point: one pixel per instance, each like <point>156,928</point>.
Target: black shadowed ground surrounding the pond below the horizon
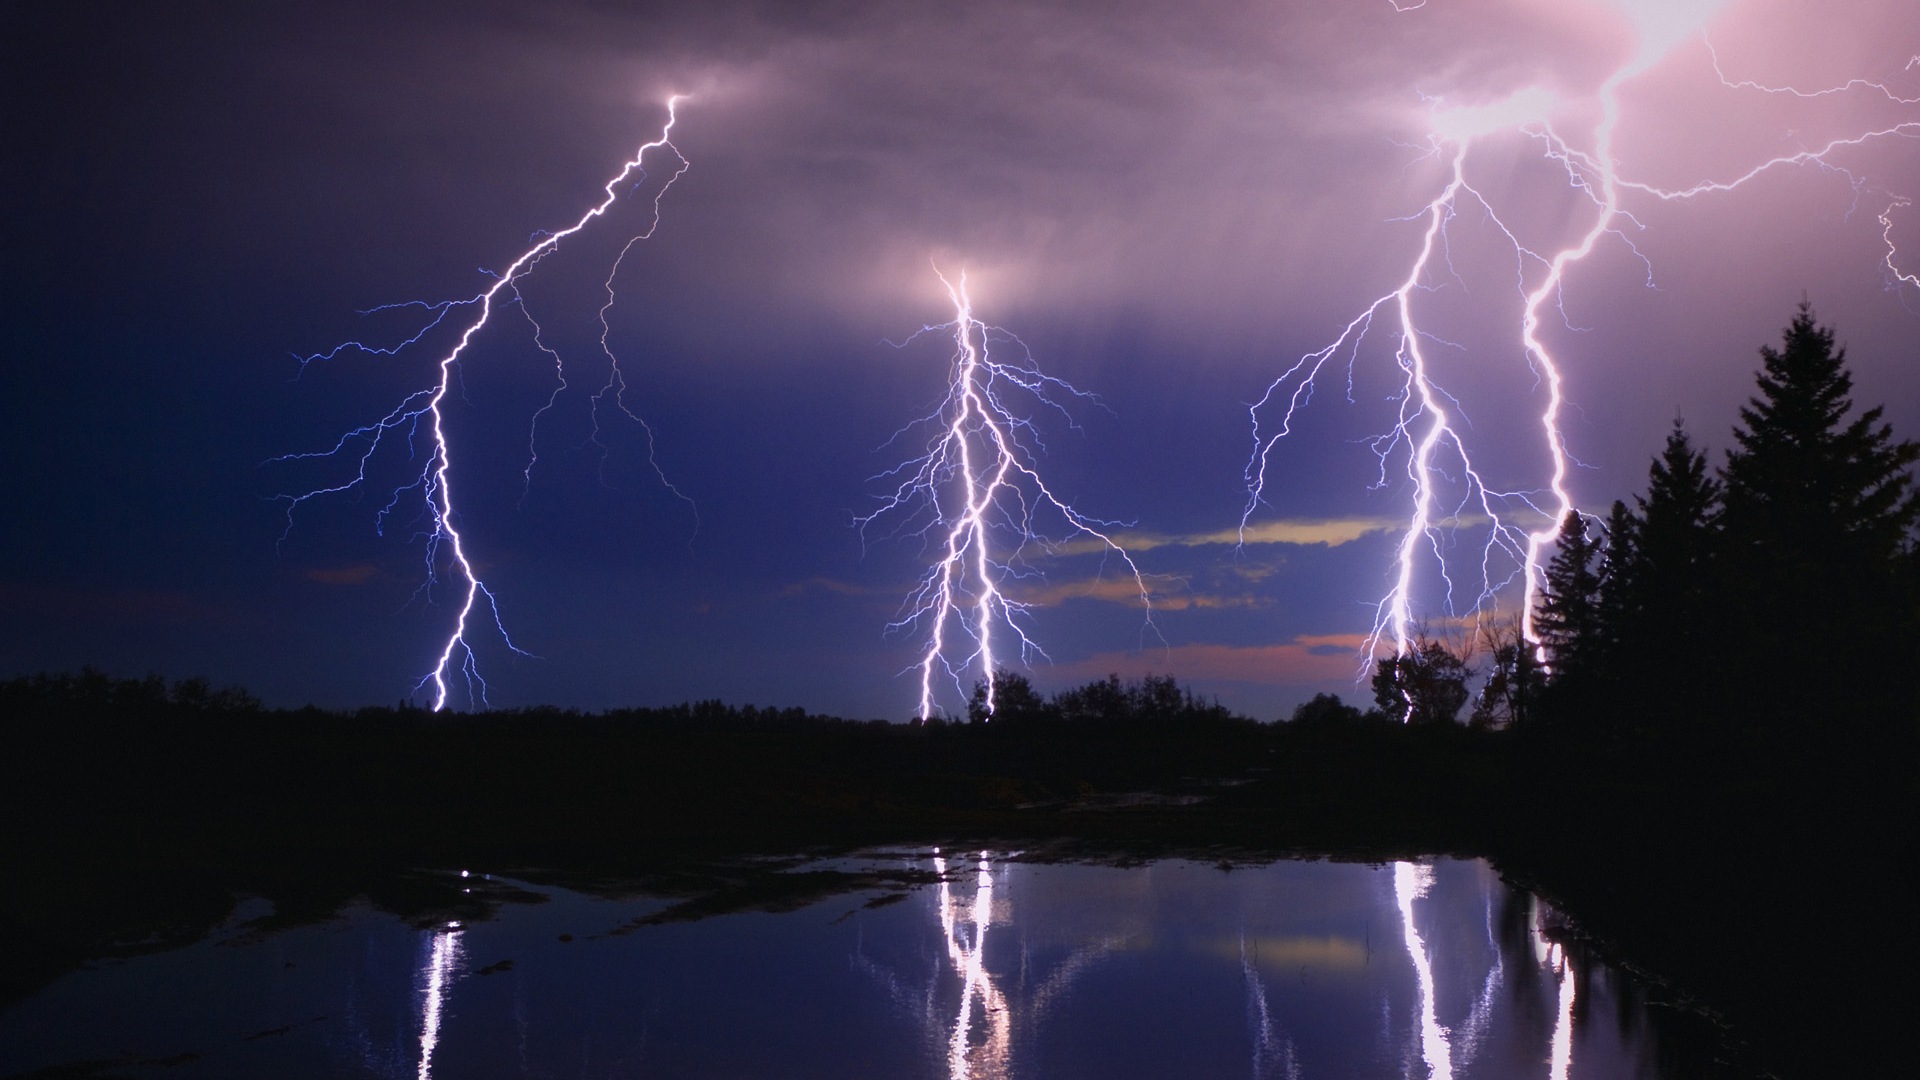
<point>1771,898</point>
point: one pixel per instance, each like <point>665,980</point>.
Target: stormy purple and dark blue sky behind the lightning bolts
<point>1166,210</point>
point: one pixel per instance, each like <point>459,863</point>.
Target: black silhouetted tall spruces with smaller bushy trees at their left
<point>1767,602</point>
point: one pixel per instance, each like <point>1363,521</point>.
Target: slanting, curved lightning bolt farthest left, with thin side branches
<point>421,418</point>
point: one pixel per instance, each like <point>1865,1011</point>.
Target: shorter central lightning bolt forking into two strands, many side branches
<point>978,495</point>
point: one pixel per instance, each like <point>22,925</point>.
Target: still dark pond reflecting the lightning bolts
<point>999,970</point>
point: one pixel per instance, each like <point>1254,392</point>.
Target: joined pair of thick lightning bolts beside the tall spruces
<point>1428,443</point>
